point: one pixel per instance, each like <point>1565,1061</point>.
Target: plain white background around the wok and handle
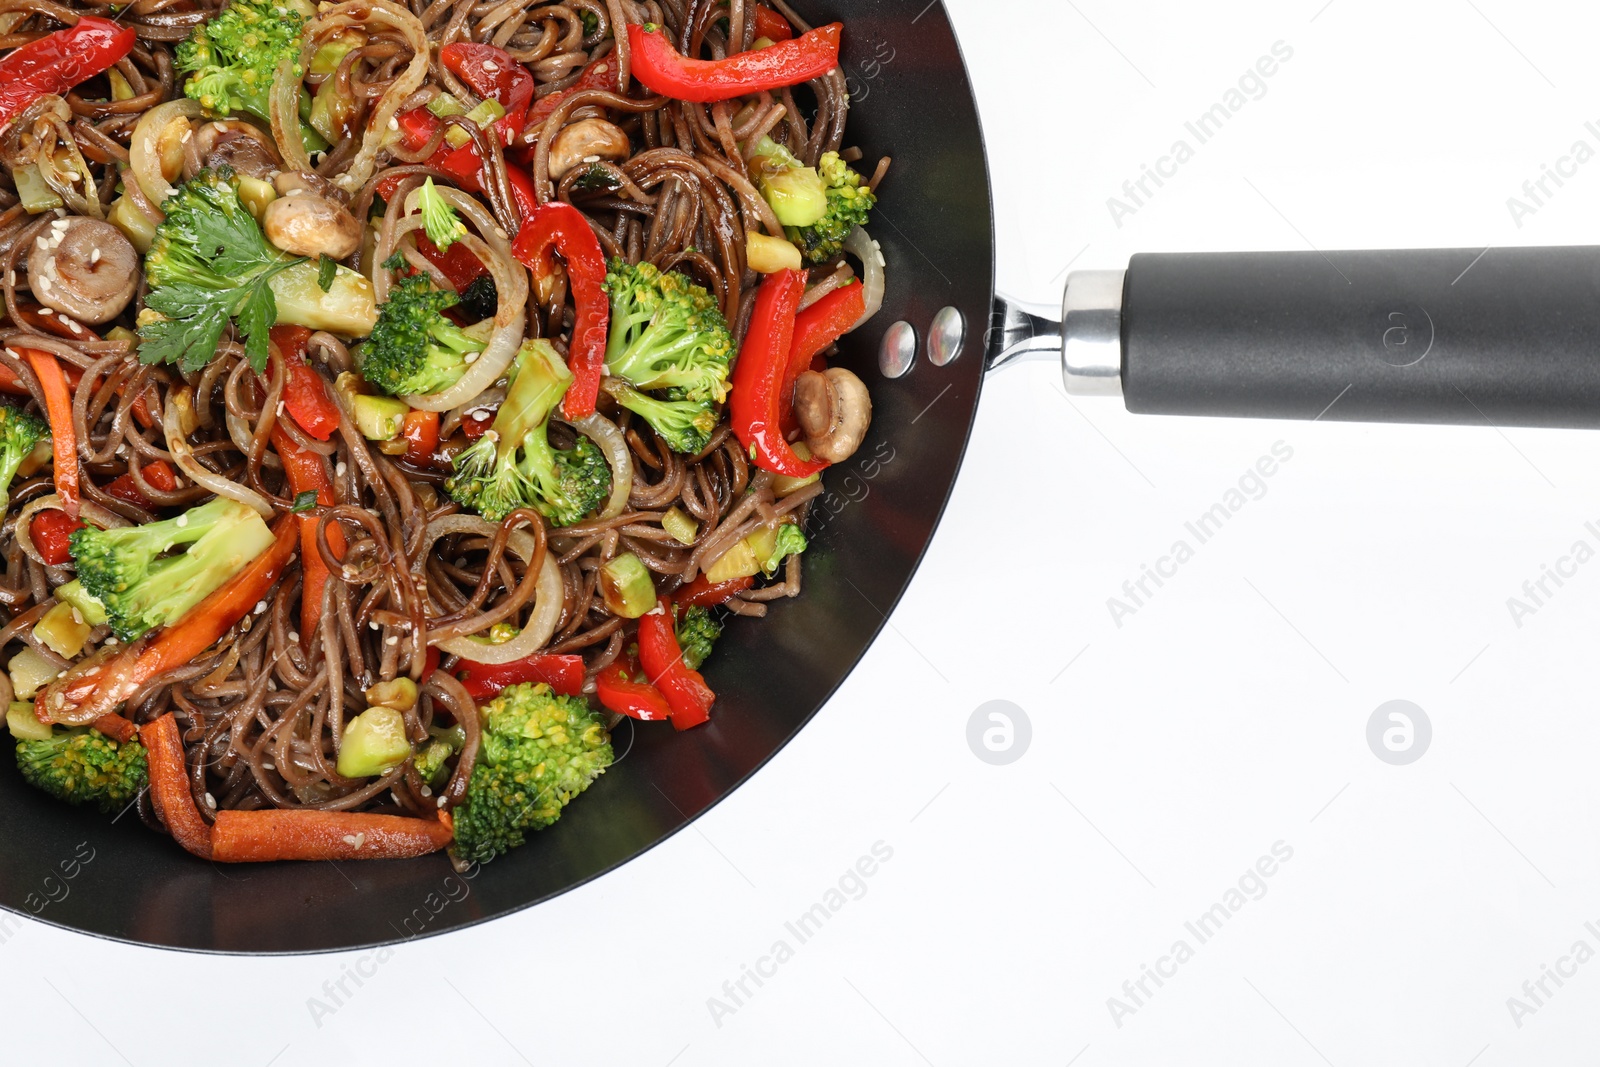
<point>1223,717</point>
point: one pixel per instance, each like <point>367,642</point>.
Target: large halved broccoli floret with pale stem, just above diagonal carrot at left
<point>142,588</point>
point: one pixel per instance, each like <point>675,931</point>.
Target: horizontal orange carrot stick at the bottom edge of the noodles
<point>246,837</point>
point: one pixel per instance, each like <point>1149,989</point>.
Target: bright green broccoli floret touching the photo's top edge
<point>234,57</point>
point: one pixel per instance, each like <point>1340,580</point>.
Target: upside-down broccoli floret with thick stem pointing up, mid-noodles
<point>514,463</point>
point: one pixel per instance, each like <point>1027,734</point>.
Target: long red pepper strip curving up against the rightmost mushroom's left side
<point>758,401</point>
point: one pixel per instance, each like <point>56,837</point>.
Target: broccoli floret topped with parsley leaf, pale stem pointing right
<point>210,263</point>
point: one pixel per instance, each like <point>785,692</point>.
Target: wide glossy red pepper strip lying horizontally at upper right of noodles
<point>663,70</point>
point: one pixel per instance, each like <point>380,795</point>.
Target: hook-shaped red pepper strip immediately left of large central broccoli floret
<point>562,228</point>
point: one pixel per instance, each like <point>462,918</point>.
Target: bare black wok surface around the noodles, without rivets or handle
<point>911,100</point>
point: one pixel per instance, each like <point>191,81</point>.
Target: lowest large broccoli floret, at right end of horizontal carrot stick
<point>538,753</point>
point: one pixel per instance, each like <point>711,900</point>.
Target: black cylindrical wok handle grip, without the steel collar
<point>1508,337</point>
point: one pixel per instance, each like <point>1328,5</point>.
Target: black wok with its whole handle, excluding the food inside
<point>1498,337</point>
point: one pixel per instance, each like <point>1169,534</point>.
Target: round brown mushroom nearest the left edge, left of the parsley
<point>84,268</point>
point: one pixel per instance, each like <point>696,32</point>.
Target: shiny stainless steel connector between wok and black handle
<point>1087,337</point>
